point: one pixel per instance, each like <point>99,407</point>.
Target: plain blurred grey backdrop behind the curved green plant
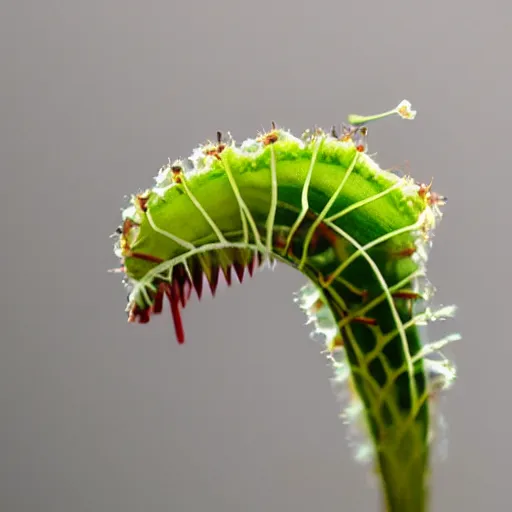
<point>101,416</point>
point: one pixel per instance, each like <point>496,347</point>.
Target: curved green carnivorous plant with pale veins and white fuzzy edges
<point>360,234</point>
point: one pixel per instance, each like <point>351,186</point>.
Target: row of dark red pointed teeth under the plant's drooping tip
<point>190,276</point>
